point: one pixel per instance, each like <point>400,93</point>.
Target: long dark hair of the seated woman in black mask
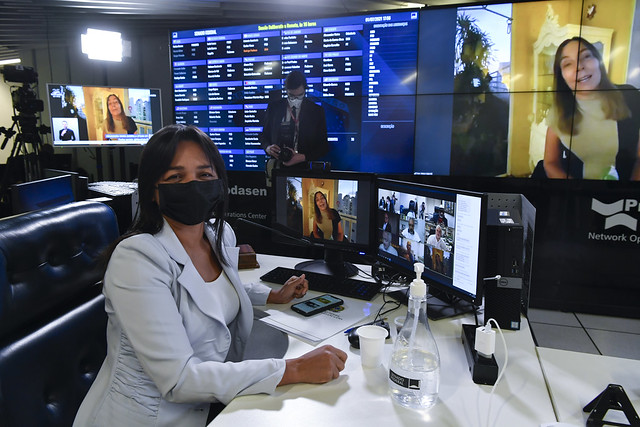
<point>155,160</point>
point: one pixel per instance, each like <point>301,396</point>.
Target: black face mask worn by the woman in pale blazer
<point>190,203</point>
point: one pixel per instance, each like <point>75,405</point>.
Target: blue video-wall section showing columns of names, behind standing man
<point>361,69</point>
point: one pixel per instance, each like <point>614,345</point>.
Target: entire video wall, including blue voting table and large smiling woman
<point>542,89</point>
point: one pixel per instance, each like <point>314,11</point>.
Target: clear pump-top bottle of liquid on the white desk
<point>414,369</point>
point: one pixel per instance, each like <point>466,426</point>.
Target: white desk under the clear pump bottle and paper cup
<point>359,397</point>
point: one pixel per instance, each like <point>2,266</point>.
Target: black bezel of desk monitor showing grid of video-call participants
<point>432,280</point>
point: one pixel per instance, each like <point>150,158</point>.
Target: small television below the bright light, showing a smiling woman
<point>102,116</point>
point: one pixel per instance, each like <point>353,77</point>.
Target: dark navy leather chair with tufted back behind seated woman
<point>52,319</point>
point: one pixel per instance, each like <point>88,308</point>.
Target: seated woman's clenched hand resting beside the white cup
<point>316,367</point>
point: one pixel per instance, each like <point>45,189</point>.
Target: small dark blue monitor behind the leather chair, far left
<point>40,194</point>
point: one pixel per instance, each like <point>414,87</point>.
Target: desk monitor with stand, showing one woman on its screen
<point>328,209</point>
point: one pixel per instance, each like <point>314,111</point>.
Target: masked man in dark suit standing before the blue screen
<point>294,128</point>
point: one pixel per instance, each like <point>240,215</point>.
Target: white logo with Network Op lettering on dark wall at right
<point>616,221</point>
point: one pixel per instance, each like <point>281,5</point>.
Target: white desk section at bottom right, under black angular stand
<point>575,379</point>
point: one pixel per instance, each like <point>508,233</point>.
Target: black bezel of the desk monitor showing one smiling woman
<point>348,247</point>
